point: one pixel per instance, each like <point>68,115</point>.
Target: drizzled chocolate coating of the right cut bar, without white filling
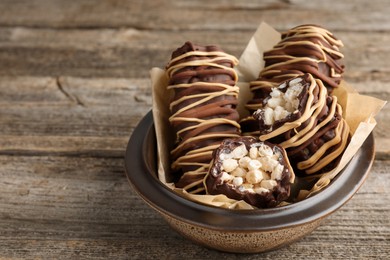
<point>326,119</point>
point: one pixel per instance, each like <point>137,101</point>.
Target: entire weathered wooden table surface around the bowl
<point>74,84</point>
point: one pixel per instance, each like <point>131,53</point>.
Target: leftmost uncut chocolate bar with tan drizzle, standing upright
<point>218,106</point>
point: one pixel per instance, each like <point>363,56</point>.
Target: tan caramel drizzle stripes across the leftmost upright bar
<point>190,158</point>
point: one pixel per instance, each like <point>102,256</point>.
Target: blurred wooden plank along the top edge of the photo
<point>196,15</point>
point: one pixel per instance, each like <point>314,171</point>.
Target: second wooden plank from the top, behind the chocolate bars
<point>132,53</point>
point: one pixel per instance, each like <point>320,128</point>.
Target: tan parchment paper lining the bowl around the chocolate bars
<point>358,110</point>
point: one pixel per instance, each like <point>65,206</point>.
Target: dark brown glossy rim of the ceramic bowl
<point>166,201</point>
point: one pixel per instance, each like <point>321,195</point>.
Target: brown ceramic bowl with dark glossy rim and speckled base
<point>240,231</point>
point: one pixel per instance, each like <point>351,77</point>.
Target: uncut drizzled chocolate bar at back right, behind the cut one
<point>303,49</point>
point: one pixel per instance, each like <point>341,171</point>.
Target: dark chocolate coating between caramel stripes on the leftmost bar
<point>221,106</point>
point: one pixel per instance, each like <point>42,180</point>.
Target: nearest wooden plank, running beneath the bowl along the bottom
<point>54,207</point>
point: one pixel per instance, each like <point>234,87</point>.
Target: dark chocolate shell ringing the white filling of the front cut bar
<point>214,184</point>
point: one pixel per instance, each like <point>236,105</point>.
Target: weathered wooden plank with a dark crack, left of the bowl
<point>110,106</point>
